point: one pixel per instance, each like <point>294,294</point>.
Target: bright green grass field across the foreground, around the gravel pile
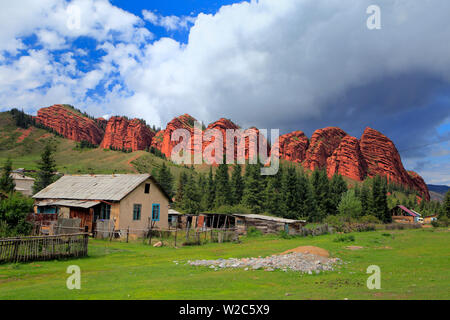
<point>414,265</point>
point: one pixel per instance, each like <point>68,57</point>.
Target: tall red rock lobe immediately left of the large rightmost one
<point>347,160</point>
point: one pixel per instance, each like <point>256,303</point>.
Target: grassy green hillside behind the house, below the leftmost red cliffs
<point>25,145</point>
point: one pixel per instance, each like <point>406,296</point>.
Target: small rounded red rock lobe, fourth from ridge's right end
<point>293,146</point>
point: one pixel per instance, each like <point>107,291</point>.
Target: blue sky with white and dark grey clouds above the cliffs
<point>292,65</point>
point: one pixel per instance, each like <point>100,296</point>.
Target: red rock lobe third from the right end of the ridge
<point>322,145</point>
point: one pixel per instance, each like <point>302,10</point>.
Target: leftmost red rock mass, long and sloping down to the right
<point>70,123</point>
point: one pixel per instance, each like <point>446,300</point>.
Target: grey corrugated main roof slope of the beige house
<point>92,187</point>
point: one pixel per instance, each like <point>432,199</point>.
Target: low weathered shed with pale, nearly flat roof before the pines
<point>267,224</point>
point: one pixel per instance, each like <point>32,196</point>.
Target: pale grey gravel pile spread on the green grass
<point>302,262</point>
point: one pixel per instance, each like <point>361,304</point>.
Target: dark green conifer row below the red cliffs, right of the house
<point>291,193</point>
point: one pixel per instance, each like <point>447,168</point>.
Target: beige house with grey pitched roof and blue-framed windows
<point>127,200</point>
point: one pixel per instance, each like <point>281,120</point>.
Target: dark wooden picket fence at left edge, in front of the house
<point>43,248</point>
